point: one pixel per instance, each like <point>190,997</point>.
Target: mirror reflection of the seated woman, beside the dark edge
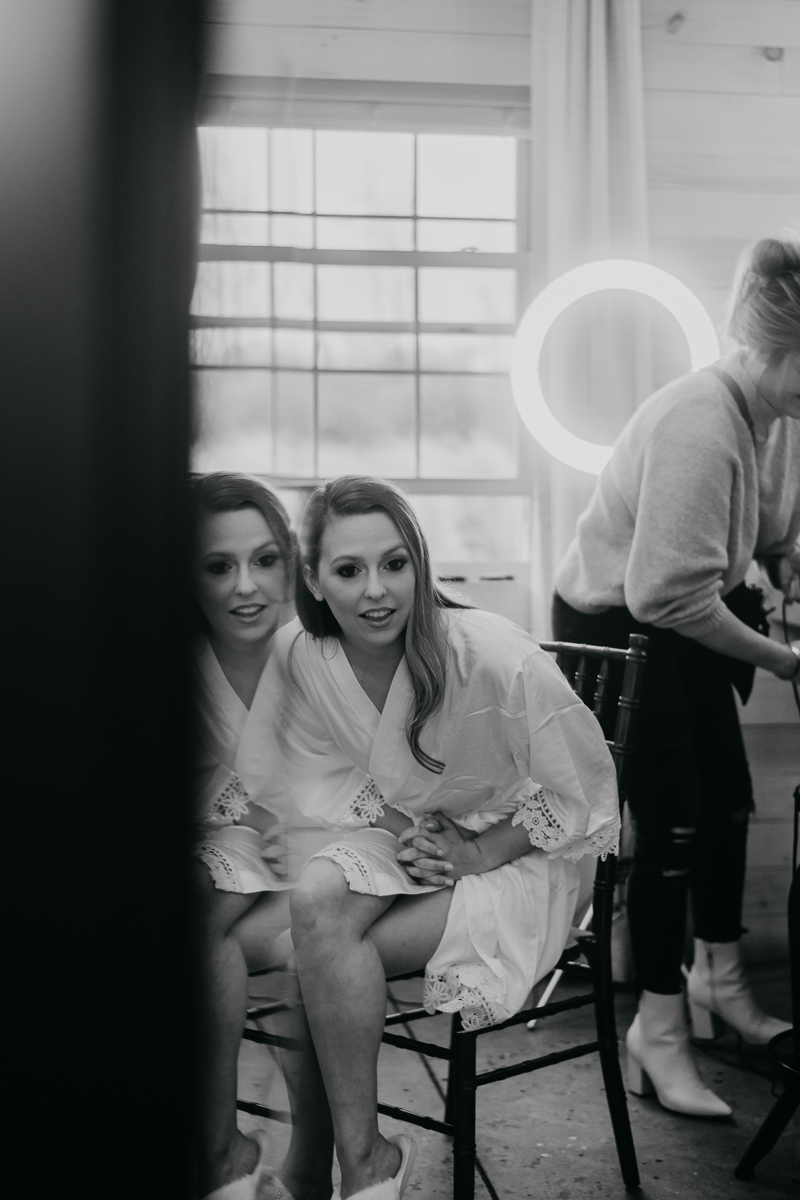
<point>245,557</point>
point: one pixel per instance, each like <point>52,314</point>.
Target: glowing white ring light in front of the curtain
<point>552,302</point>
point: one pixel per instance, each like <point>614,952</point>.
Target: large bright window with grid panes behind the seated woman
<point>354,310</point>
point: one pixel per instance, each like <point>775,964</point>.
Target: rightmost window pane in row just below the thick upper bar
<point>480,297</point>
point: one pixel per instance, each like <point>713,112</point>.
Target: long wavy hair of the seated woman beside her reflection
<point>426,651</point>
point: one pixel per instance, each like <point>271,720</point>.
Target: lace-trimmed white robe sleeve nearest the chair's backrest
<point>570,807</point>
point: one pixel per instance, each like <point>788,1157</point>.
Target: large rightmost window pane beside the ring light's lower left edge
<point>467,428</point>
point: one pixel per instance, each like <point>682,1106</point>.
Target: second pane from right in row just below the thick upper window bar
<point>365,293</point>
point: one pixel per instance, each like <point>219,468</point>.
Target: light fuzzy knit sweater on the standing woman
<point>688,500</point>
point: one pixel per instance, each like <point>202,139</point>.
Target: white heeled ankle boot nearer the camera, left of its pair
<point>659,1059</point>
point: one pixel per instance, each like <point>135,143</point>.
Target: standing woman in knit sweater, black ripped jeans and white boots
<point>705,478</point>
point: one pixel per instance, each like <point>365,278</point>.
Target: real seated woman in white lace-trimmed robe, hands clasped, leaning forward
<point>471,778</point>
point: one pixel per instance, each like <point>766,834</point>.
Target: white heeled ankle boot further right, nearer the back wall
<point>719,992</point>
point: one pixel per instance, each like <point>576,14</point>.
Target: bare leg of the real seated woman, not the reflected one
<point>344,982</point>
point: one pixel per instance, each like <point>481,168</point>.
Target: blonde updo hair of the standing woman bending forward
<point>765,310</point>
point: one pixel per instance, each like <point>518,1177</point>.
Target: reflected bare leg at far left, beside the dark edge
<point>224,1154</point>
